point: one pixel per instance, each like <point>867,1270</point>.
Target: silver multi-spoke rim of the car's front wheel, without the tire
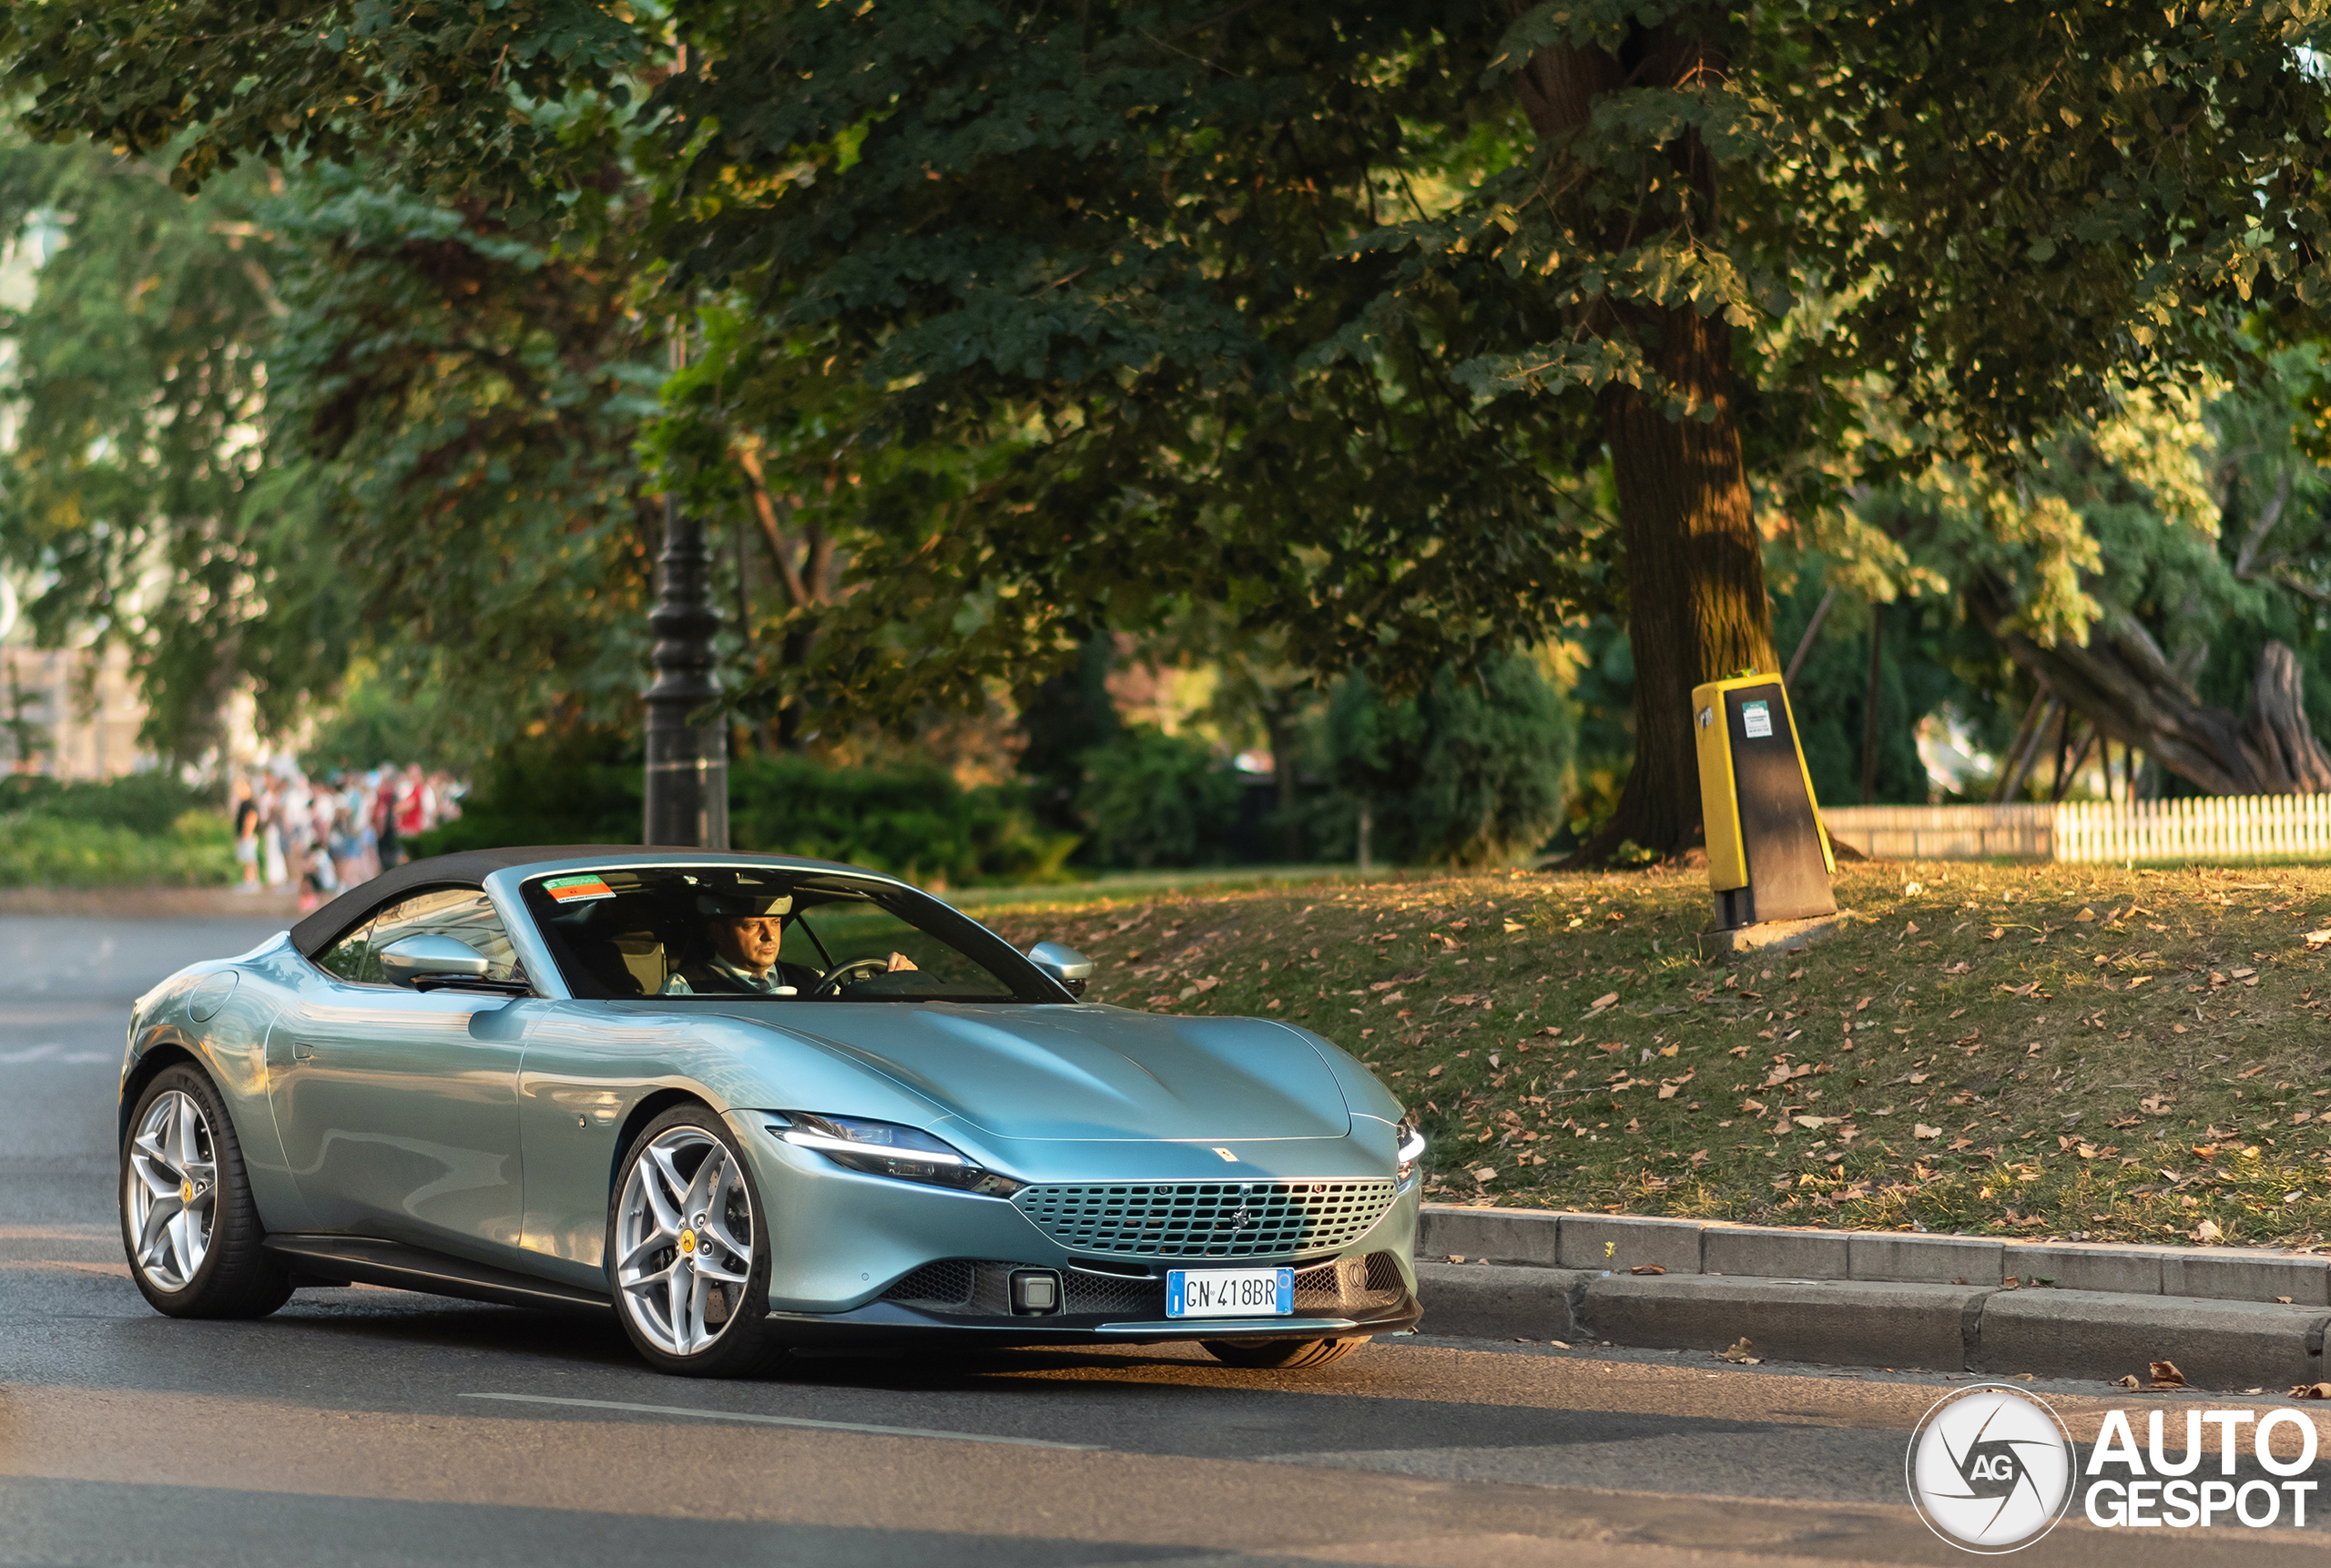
<point>684,1241</point>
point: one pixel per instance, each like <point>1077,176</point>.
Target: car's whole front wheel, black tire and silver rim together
<point>689,1250</point>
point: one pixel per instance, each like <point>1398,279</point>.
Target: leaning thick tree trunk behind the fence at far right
<point>2125,686</point>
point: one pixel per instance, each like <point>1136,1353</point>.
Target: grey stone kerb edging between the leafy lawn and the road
<point>2230,1318</point>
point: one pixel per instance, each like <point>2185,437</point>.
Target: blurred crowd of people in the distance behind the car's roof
<point>330,835</point>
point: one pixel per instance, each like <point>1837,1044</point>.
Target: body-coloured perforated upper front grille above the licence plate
<point>1209,1220</point>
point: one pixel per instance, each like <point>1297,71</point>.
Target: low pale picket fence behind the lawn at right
<point>2225,828</point>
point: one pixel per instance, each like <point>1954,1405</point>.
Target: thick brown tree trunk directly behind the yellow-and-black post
<point>1696,570</point>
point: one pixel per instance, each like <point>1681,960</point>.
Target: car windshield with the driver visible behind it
<point>724,933</point>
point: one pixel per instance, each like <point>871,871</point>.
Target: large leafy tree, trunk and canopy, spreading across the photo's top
<point>1325,318</point>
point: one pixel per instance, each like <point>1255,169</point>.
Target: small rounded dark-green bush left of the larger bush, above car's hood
<point>1157,800</point>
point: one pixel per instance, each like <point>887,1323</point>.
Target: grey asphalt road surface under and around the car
<point>374,1427</point>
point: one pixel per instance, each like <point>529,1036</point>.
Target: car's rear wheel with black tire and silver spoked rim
<point>188,1217</point>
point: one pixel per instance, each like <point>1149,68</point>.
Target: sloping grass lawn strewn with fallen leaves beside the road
<point>2038,1052</point>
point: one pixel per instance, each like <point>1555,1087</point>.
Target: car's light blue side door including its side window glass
<point>400,1108</point>
